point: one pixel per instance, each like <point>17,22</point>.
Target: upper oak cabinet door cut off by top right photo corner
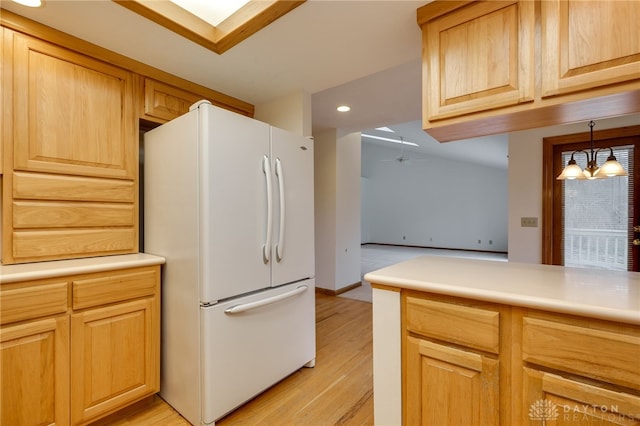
<point>588,44</point>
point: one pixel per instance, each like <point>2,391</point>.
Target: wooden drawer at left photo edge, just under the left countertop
<point>35,301</point>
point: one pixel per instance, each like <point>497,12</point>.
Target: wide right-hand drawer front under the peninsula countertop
<point>603,355</point>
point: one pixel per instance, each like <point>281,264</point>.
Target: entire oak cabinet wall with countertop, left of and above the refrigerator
<point>79,330</point>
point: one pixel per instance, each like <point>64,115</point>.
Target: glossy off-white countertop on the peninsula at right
<point>610,295</point>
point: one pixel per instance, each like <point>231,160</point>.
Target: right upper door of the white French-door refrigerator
<point>293,224</point>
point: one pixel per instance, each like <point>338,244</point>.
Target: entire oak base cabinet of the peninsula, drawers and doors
<point>475,363</point>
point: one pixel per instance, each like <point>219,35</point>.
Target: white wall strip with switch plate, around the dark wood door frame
<point>525,182</point>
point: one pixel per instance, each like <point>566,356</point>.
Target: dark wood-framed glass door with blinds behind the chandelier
<point>591,223</point>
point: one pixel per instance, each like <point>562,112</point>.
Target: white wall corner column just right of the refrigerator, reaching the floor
<point>337,206</point>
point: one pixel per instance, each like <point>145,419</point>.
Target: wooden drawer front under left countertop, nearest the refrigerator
<point>114,287</point>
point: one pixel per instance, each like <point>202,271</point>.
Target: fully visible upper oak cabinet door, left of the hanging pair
<point>478,58</point>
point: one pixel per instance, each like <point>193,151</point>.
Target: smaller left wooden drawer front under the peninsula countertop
<point>473,327</point>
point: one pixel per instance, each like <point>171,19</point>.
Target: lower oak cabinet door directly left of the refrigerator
<point>115,357</point>
